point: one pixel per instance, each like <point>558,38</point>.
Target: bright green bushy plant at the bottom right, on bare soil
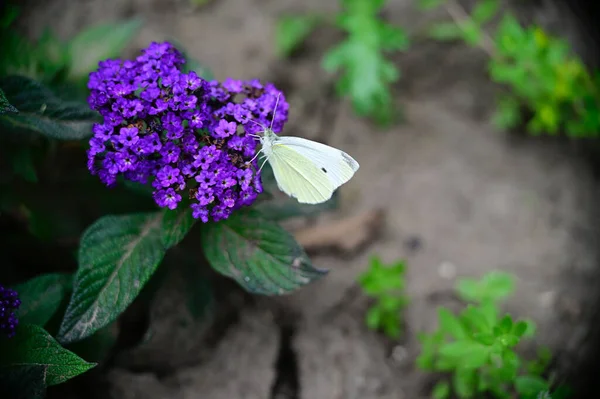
<point>476,348</point>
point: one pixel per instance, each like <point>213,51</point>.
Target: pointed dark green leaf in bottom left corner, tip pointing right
<point>32,345</point>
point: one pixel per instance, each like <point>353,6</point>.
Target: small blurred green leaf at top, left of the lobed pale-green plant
<point>292,31</point>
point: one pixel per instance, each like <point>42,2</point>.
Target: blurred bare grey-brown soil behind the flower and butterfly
<point>460,199</point>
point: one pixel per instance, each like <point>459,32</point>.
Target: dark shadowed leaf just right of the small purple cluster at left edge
<point>41,296</point>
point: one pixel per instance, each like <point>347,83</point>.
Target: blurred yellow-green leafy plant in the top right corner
<point>541,73</point>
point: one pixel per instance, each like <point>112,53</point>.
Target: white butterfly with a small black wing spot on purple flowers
<point>304,169</point>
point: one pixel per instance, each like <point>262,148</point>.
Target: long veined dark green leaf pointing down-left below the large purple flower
<point>117,256</point>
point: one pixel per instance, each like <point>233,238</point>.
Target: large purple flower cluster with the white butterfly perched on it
<point>180,132</point>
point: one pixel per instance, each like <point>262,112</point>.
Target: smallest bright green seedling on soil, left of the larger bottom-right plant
<point>385,283</point>
